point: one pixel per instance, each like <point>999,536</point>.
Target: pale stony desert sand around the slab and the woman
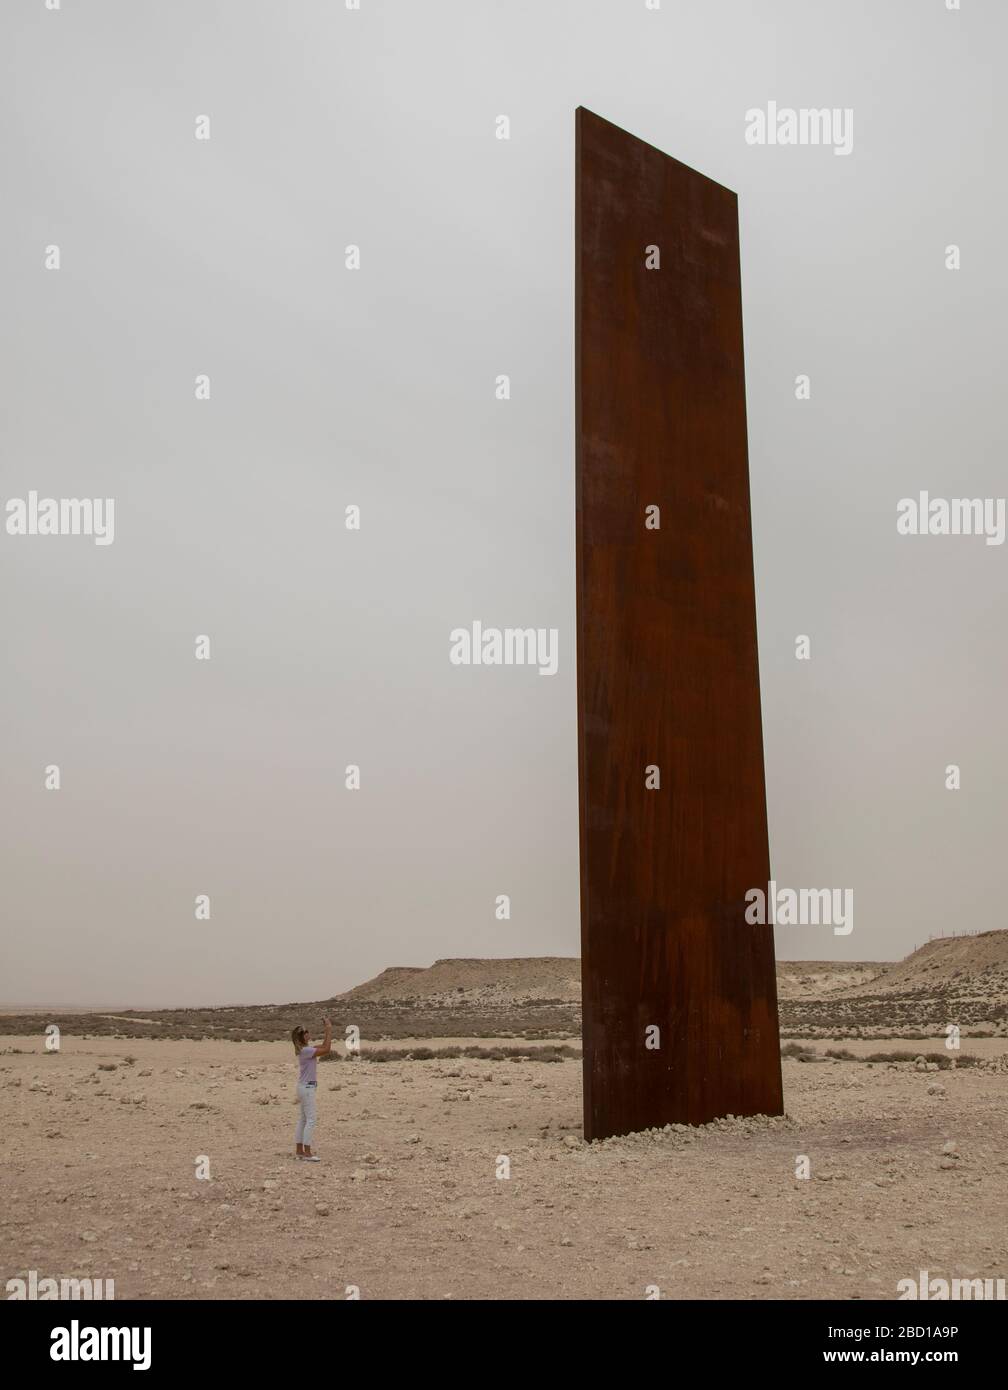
<point>99,1179</point>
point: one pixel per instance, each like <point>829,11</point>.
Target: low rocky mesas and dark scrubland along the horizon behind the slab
<point>960,981</point>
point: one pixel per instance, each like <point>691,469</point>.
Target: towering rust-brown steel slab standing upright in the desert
<point>667,654</point>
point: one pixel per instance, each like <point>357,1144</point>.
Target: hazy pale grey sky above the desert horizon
<point>226,258</point>
